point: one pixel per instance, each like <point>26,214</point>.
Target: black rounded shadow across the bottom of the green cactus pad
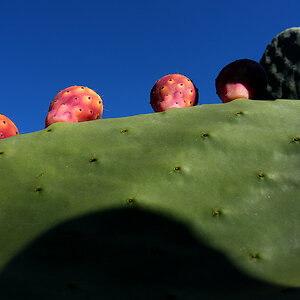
<point>127,254</point>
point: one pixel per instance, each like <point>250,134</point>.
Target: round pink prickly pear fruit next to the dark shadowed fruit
<point>173,91</point>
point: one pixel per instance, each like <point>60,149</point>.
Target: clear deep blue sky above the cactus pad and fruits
<point>120,48</point>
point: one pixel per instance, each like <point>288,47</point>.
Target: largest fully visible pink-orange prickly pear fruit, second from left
<point>75,104</point>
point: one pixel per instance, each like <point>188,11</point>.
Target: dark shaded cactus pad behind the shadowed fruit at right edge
<point>281,60</point>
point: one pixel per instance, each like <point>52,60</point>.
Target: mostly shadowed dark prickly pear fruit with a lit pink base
<point>243,78</point>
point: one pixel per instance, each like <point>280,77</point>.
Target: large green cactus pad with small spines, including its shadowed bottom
<point>183,204</point>
